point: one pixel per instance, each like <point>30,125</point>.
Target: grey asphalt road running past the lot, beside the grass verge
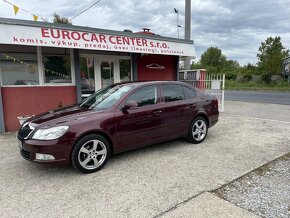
<point>259,96</point>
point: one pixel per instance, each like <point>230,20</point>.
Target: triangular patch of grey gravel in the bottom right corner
<point>265,191</point>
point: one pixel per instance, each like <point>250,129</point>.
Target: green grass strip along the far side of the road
<point>235,85</point>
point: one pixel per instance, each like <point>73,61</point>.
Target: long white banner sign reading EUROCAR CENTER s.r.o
<point>62,38</point>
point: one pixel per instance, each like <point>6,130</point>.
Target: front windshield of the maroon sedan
<point>105,98</point>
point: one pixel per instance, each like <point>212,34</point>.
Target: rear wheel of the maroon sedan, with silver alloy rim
<point>198,130</point>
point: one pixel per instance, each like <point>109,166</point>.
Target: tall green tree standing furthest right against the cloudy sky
<point>270,56</point>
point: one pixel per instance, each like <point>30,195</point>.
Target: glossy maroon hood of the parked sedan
<point>60,116</point>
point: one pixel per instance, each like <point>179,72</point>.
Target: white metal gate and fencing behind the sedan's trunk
<point>213,84</point>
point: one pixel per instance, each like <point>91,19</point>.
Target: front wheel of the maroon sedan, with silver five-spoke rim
<point>90,153</point>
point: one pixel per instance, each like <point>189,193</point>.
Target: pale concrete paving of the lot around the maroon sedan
<point>169,179</point>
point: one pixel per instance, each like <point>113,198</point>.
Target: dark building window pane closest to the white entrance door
<point>56,65</point>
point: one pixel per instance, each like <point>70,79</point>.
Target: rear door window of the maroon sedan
<point>172,93</point>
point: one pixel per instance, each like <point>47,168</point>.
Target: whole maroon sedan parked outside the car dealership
<point>115,119</point>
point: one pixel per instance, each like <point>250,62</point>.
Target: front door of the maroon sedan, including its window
<point>142,125</point>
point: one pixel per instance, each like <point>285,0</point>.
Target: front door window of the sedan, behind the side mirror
<point>144,96</point>
